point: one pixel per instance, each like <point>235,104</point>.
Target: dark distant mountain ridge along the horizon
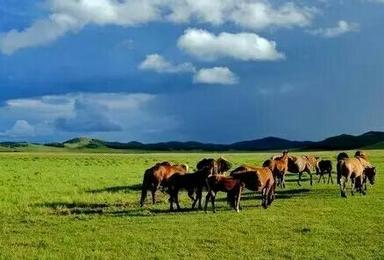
<point>369,140</point>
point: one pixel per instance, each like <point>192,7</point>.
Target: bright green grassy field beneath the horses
<point>61,205</point>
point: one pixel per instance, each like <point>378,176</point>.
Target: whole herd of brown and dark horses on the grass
<point>210,174</point>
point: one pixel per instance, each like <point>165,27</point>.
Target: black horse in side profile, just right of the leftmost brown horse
<point>192,182</point>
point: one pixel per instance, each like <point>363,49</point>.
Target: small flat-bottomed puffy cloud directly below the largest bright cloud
<point>215,75</point>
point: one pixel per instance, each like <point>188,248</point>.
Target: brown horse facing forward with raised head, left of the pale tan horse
<point>279,167</point>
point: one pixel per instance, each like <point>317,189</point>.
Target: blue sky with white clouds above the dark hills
<point>213,71</point>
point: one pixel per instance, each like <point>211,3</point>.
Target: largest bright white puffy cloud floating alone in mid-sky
<point>241,46</point>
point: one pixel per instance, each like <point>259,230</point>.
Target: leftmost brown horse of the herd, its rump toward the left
<point>158,175</point>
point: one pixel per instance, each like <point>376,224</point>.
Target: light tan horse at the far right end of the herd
<point>356,169</point>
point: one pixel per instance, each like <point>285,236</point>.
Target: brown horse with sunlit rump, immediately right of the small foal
<point>260,180</point>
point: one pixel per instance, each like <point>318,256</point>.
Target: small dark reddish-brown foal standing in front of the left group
<point>233,187</point>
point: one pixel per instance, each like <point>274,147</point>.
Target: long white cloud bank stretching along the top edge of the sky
<point>73,15</point>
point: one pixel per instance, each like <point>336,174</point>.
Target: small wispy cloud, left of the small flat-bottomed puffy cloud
<point>159,64</point>
